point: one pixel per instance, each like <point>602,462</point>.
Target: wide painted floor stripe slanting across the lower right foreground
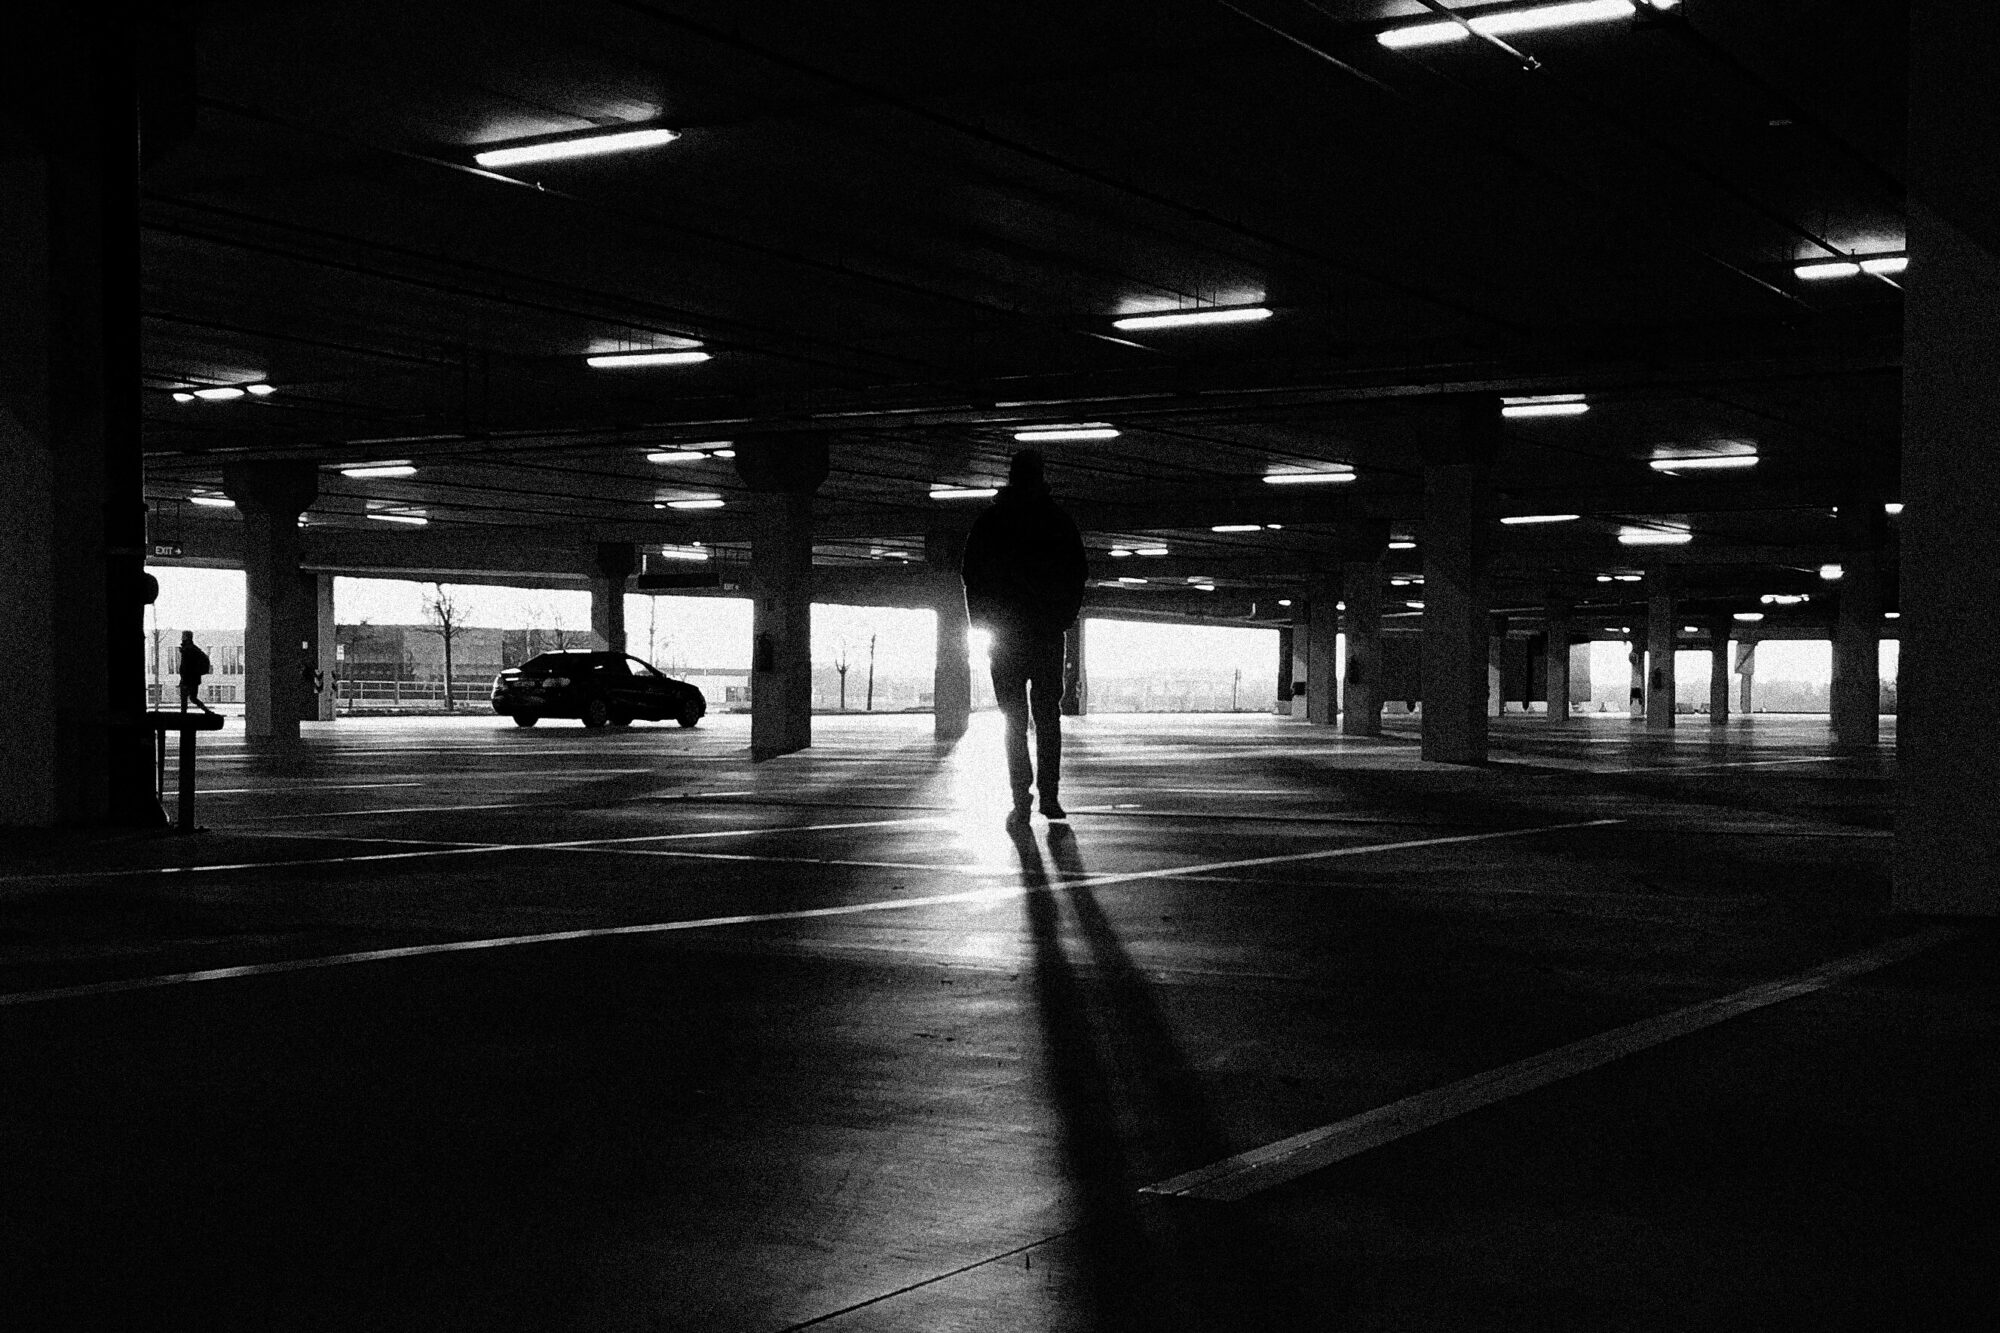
<point>1287,1160</point>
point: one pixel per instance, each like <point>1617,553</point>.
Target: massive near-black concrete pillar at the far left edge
<point>73,513</point>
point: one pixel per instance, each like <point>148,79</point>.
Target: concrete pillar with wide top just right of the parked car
<point>783,473</point>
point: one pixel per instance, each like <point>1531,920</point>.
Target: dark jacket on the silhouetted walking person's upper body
<point>1025,569</point>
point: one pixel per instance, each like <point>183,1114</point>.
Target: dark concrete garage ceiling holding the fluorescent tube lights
<point>911,225</point>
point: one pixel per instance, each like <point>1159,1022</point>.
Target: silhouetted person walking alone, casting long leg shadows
<point>1025,583</point>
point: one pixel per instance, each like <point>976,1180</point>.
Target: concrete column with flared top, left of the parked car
<point>281,605</point>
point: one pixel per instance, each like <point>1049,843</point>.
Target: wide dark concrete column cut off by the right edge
<point>1949,824</point>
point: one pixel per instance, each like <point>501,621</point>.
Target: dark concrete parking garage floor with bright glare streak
<point>825,1042</point>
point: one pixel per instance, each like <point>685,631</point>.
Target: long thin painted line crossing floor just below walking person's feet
<point>993,894</point>
